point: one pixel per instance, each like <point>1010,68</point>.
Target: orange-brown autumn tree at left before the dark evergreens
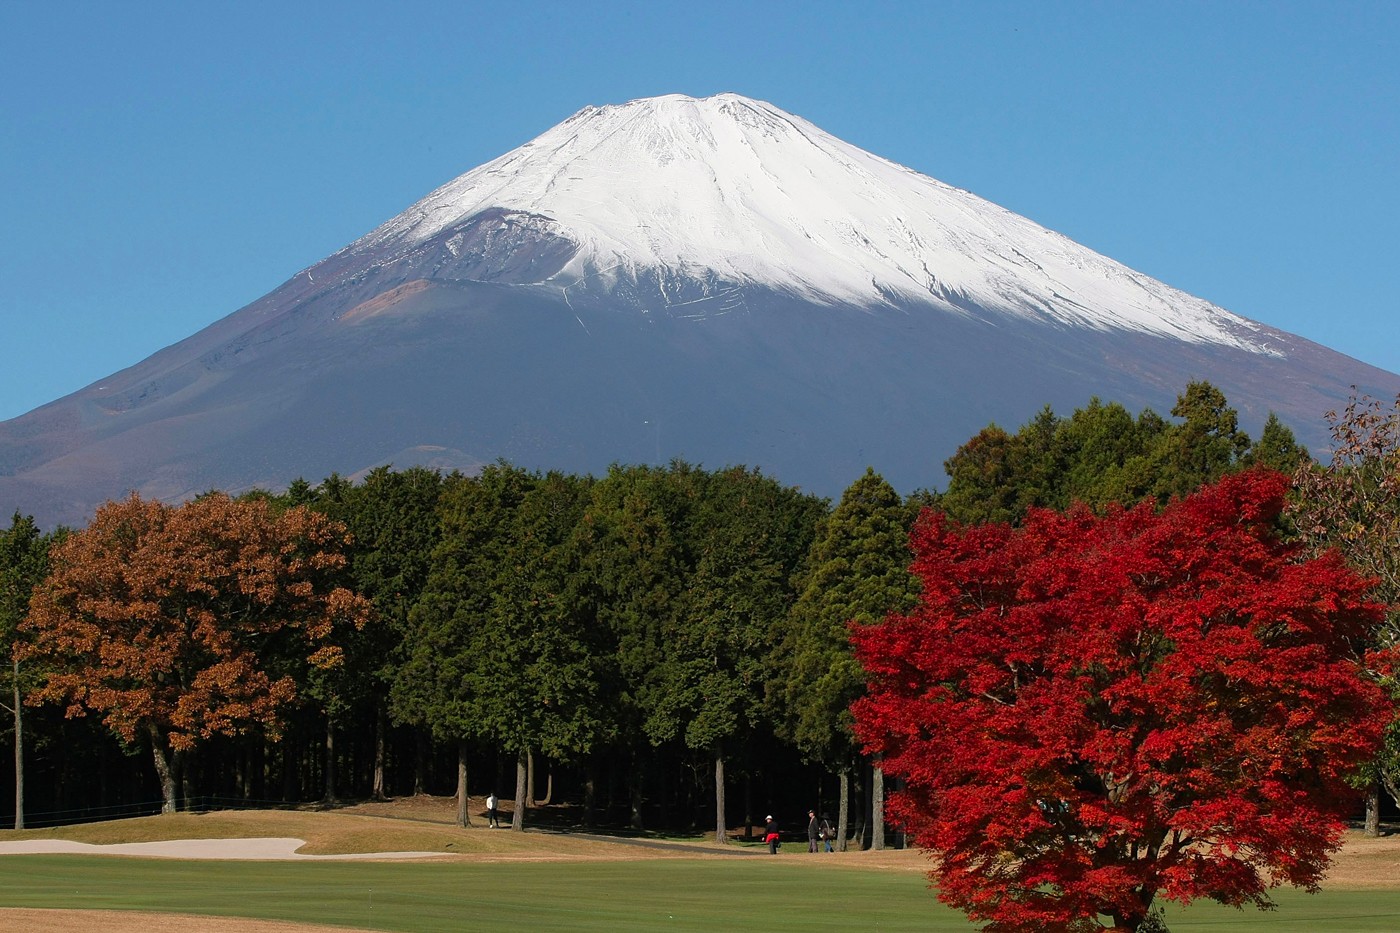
<point>178,624</point>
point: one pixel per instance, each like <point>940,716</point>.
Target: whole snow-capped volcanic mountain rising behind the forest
<point>712,279</point>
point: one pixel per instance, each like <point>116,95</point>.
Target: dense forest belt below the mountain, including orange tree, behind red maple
<point>660,648</point>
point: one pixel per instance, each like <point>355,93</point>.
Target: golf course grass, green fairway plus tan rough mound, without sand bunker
<point>568,882</point>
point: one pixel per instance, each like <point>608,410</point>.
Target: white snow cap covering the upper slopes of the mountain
<point>740,191</point>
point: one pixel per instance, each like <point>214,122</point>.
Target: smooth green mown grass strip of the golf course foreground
<point>667,894</point>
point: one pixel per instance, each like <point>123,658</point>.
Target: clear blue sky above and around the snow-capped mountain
<point>167,163</point>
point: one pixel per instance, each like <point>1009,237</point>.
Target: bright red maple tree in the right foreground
<point>1091,712</point>
